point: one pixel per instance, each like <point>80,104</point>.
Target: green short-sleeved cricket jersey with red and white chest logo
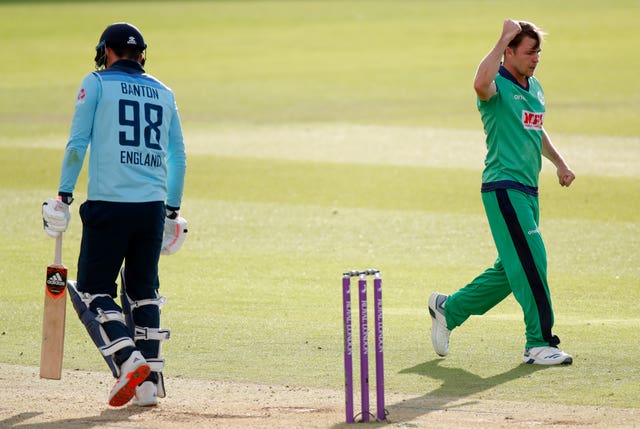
<point>512,121</point>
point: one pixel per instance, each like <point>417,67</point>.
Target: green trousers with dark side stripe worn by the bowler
<point>521,268</point>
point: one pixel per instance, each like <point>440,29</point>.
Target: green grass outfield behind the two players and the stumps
<point>326,136</point>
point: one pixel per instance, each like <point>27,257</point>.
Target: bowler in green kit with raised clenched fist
<point>512,108</point>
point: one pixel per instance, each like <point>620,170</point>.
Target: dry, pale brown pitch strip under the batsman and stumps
<point>79,401</point>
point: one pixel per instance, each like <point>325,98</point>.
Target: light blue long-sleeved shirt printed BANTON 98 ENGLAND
<point>130,120</point>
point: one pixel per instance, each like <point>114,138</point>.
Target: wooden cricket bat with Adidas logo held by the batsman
<point>55,304</point>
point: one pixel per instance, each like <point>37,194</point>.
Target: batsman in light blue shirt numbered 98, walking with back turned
<point>136,170</point>
